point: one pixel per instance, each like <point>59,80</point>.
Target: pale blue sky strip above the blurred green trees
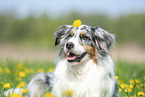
<point>56,8</point>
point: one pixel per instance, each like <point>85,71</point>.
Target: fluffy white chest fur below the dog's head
<point>85,80</point>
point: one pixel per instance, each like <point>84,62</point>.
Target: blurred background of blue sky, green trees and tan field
<point>27,26</point>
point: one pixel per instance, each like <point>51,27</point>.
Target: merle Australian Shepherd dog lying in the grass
<point>84,65</point>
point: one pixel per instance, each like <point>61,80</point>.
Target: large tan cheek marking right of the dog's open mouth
<point>91,52</point>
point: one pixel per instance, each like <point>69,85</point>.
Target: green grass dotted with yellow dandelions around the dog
<point>131,76</point>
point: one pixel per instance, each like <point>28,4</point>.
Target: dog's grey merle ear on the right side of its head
<point>103,39</point>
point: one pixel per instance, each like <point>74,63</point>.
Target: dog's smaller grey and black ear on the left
<point>61,33</point>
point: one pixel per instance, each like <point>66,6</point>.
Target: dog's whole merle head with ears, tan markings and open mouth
<point>78,44</point>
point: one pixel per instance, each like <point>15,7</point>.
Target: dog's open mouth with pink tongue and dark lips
<point>71,57</point>
